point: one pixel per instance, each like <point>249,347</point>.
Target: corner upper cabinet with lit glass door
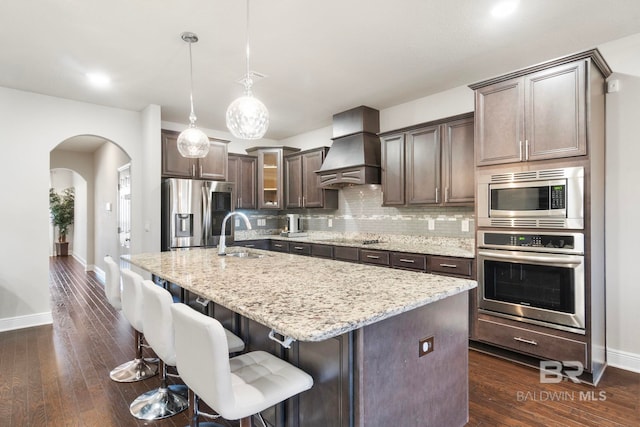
<point>270,174</point>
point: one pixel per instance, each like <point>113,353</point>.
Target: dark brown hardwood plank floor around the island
<point>57,375</point>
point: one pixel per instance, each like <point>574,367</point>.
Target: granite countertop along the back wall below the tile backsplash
<point>445,246</point>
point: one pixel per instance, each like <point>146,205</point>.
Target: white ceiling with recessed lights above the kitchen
<point>320,57</point>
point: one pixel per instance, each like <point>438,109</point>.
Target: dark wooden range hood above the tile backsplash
<point>354,156</point>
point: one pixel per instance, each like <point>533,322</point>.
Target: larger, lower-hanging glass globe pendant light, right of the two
<point>247,117</point>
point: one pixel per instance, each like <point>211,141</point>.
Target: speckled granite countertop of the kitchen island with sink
<point>305,298</point>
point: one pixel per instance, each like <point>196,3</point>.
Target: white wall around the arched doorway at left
<point>32,125</point>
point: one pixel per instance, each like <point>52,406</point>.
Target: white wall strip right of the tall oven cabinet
<point>623,204</point>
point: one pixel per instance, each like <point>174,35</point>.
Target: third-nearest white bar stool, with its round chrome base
<point>137,369</point>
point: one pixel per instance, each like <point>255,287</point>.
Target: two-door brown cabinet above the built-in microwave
<point>538,113</point>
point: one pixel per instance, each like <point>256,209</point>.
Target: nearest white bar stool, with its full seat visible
<point>237,387</point>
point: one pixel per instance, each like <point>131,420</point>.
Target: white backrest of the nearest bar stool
<point>202,356</point>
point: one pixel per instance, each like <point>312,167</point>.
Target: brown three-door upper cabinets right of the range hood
<point>430,164</point>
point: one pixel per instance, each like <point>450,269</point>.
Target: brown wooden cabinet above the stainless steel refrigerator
<point>212,167</point>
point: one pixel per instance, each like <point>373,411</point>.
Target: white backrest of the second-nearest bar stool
<point>158,321</point>
